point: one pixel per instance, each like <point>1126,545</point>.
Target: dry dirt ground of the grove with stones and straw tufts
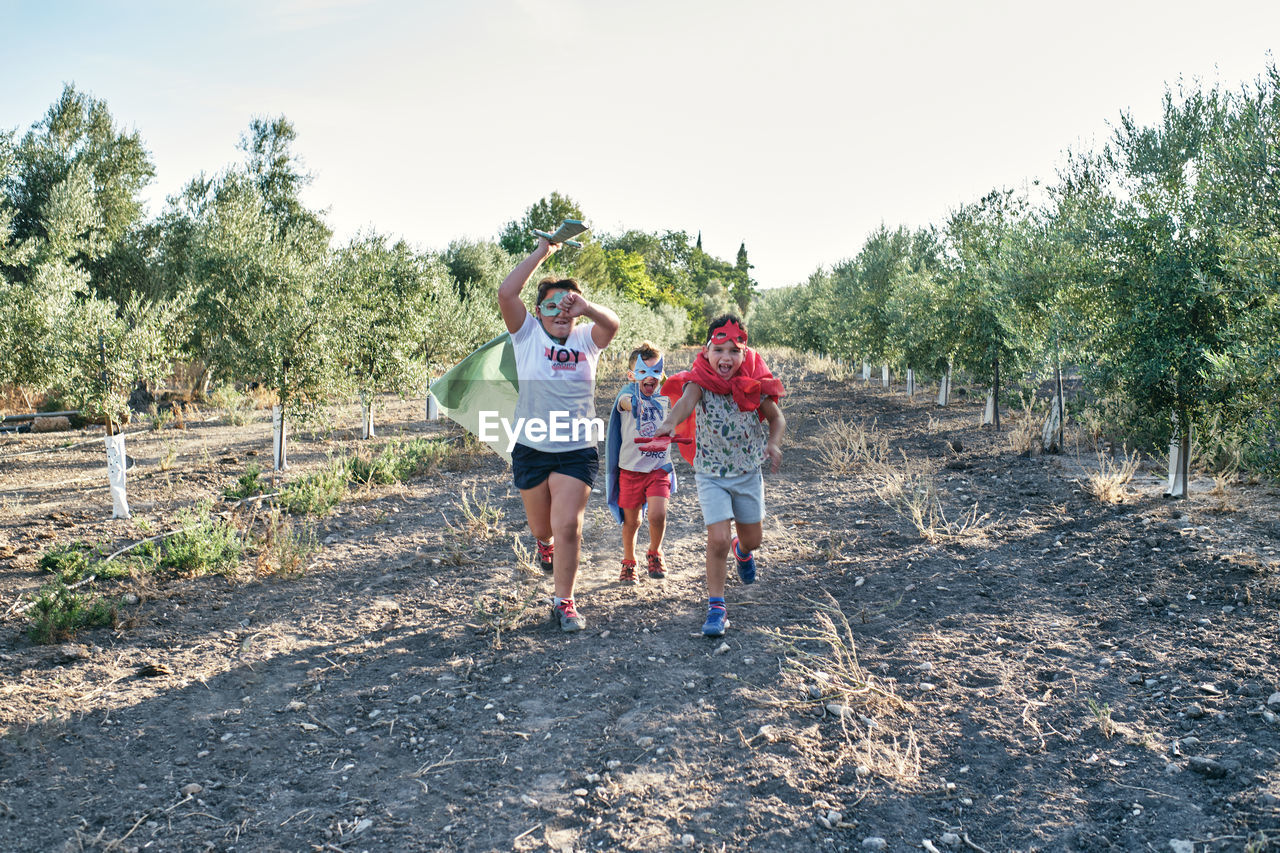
<point>1077,677</point>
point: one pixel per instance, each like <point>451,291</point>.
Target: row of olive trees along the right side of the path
<point>1153,266</point>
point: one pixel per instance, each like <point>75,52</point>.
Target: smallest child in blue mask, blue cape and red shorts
<point>641,476</point>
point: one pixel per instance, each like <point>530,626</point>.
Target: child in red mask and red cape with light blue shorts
<point>729,403</point>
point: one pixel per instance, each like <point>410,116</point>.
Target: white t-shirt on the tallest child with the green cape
<point>556,409</point>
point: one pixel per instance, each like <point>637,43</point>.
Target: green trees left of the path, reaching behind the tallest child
<point>236,281</point>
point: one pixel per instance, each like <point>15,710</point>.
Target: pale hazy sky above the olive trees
<point>797,127</point>
